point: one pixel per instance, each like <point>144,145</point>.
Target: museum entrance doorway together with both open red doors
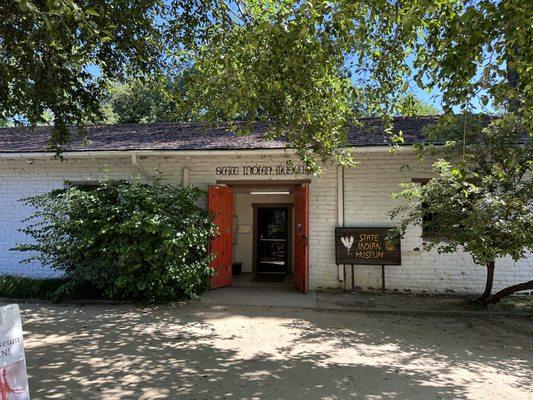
<point>260,236</point>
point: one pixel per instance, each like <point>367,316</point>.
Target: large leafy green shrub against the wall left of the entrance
<point>128,240</point>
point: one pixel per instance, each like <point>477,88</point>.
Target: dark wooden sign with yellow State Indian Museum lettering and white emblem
<point>366,246</point>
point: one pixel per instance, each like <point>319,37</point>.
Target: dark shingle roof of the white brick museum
<point>180,136</point>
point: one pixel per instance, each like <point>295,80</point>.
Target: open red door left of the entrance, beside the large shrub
<point>220,203</point>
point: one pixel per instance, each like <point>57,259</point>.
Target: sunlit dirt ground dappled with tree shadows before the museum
<point>202,351</point>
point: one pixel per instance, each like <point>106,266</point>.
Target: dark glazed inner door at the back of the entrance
<point>272,243</point>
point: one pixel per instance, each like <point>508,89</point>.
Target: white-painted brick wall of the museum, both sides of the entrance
<point>368,189</point>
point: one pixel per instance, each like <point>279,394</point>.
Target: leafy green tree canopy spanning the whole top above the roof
<point>308,67</point>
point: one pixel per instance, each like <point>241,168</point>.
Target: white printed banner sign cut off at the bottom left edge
<point>13,376</point>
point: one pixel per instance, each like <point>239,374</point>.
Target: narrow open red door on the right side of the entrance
<point>301,238</point>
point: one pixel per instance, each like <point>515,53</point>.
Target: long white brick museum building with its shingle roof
<point>256,171</point>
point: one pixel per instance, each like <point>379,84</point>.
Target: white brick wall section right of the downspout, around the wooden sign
<point>368,199</point>
